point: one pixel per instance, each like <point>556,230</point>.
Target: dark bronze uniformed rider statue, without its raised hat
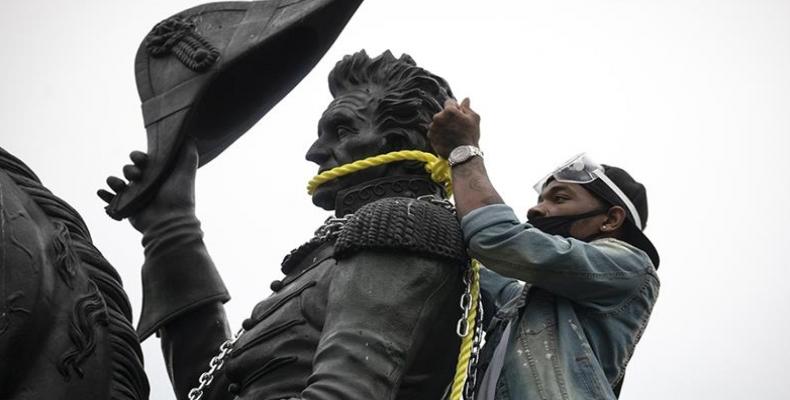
<point>367,308</point>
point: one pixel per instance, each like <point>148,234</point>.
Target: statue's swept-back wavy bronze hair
<point>405,97</point>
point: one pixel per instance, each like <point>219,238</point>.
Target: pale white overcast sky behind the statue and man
<point>691,96</point>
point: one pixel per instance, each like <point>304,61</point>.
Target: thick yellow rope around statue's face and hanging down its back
<point>439,170</point>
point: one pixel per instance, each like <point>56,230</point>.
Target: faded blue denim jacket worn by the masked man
<point>578,318</point>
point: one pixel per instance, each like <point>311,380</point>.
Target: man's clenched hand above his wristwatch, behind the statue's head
<point>456,125</point>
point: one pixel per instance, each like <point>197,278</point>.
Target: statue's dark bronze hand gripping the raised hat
<point>175,197</point>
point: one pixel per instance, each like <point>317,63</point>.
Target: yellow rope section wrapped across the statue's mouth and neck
<point>437,167</point>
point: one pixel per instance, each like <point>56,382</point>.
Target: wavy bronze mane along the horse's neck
<point>105,304</point>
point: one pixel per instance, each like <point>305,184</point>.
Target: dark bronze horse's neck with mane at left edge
<point>65,321</point>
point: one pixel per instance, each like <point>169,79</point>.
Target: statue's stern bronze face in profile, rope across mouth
<point>346,133</point>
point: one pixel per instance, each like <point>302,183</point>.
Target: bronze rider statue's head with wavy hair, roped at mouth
<point>380,105</point>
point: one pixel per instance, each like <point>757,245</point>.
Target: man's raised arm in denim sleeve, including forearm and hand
<point>568,267</point>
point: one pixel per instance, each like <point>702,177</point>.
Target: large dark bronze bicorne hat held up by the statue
<point>212,71</point>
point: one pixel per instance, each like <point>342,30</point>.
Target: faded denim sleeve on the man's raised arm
<point>599,273</point>
